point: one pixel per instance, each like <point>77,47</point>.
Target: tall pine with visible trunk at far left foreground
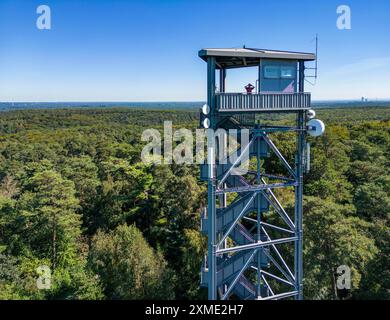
<point>50,223</point>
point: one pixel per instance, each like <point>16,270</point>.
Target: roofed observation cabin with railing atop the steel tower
<point>280,84</point>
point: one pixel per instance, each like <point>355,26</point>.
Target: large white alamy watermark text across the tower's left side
<point>183,146</point>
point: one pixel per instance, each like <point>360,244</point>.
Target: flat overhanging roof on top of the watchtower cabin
<point>247,57</point>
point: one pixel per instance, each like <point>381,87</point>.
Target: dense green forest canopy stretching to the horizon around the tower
<point>75,196</point>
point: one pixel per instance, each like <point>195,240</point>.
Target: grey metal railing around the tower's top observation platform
<point>262,101</point>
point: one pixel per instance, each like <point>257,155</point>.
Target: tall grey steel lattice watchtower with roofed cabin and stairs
<point>251,253</point>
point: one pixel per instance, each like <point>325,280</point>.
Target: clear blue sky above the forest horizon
<point>124,50</point>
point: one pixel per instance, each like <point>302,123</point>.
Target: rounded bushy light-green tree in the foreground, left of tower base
<point>128,267</point>
